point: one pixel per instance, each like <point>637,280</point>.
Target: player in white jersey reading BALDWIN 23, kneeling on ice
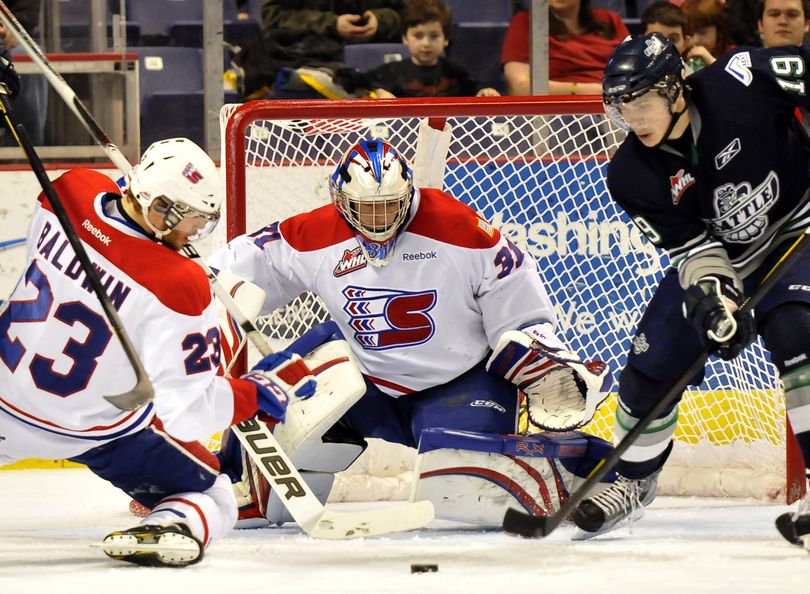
<point>59,357</point>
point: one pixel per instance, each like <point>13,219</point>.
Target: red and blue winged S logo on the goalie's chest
<point>384,319</point>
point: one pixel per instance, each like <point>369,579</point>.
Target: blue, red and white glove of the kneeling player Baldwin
<point>280,377</point>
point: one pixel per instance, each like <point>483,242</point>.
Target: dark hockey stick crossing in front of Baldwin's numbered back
<point>142,392</point>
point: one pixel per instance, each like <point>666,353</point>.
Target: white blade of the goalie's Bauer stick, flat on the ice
<point>341,526</point>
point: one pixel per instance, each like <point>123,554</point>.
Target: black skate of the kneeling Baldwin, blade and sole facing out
<point>154,546</point>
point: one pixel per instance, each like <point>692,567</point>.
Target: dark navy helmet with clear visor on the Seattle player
<point>636,67</point>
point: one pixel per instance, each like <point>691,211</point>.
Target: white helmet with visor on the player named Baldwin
<point>183,179</point>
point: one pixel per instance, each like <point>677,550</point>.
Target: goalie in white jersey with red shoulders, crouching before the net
<point>445,317</point>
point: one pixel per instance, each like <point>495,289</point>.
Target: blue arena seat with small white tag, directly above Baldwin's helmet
<point>171,93</point>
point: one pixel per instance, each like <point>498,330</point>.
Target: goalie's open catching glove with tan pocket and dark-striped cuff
<point>562,391</point>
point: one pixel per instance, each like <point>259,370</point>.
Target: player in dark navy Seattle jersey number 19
<point>716,171</point>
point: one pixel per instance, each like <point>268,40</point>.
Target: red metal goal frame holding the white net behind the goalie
<point>235,145</point>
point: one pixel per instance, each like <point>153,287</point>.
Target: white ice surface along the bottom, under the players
<point>49,518</point>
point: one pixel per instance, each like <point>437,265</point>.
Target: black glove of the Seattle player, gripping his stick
<point>706,307</point>
